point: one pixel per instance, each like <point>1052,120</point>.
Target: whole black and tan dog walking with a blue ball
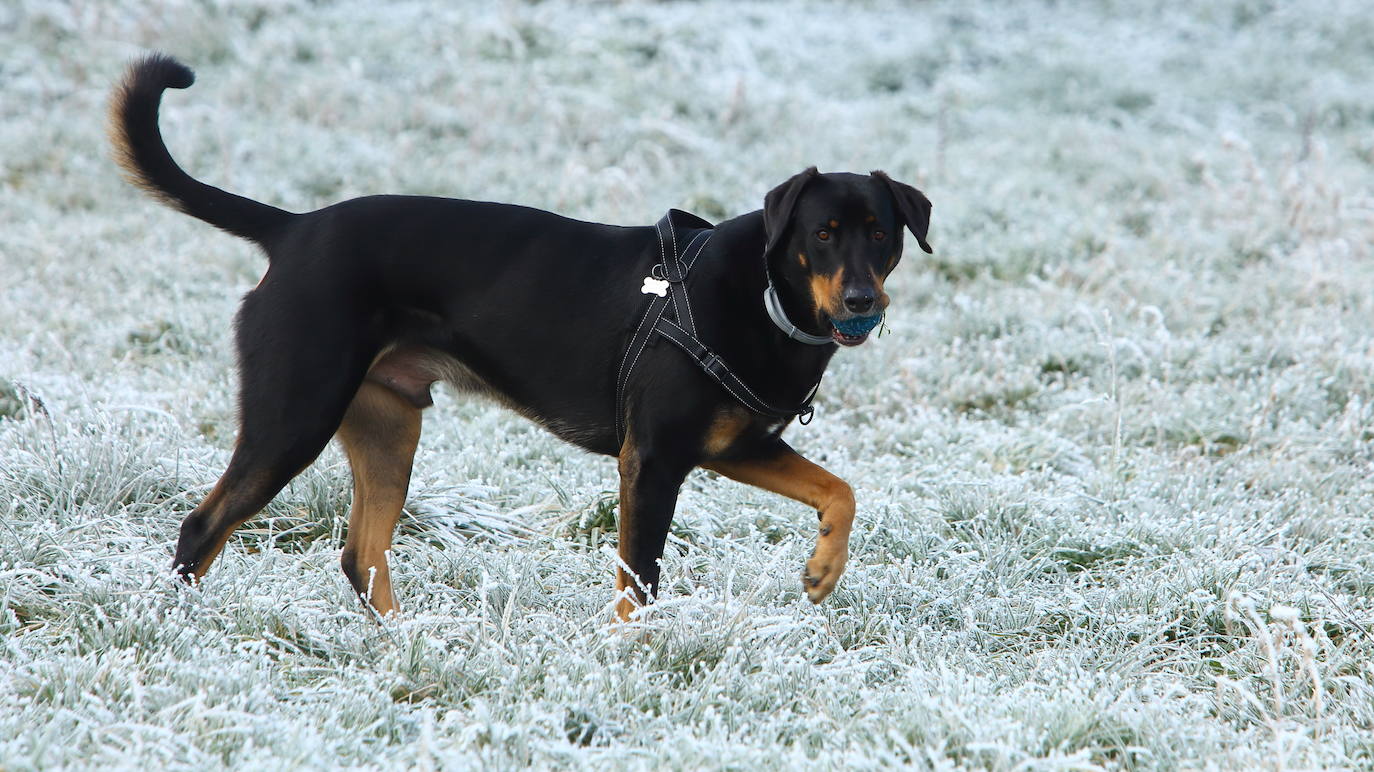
<point>366,304</point>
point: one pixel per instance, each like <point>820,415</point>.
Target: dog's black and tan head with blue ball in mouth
<point>836,238</point>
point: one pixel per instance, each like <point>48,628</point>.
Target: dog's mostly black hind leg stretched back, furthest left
<point>297,374</point>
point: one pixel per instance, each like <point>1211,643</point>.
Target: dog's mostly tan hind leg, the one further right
<point>380,435</point>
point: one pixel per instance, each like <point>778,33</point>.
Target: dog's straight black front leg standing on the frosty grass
<point>649,484</point>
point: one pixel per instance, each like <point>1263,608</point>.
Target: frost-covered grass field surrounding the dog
<point>1115,454</point>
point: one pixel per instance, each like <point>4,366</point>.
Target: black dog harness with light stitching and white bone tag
<point>668,284</point>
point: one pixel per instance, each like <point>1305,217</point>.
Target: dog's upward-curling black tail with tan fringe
<point>141,152</point>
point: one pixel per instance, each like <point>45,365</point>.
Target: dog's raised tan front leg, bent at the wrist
<point>782,470</point>
